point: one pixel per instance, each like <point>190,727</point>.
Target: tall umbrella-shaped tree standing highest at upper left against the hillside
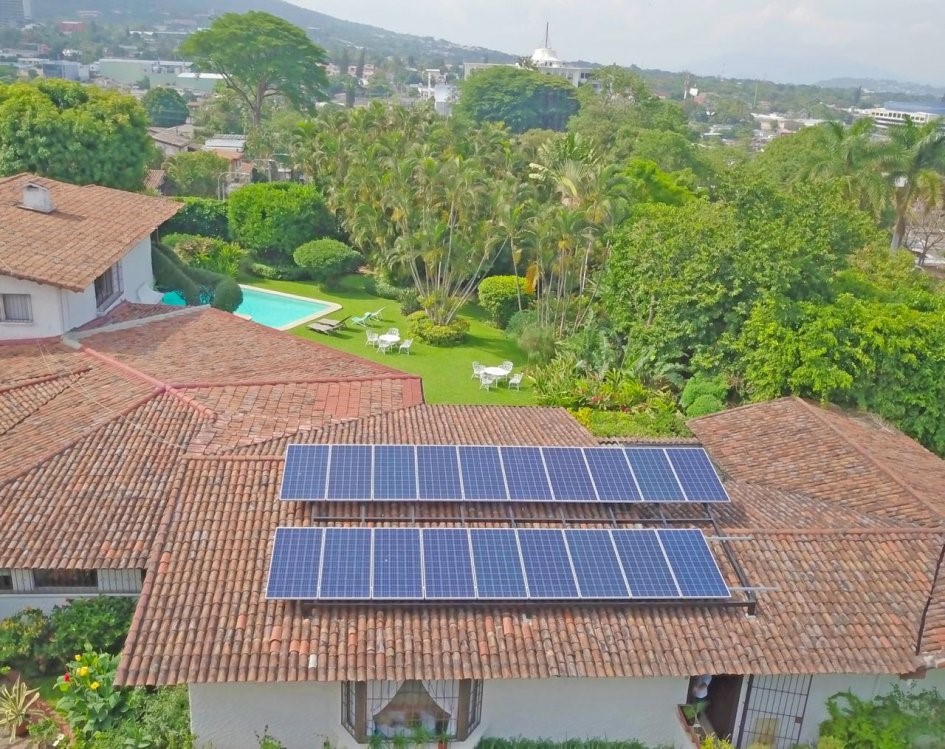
<point>260,56</point>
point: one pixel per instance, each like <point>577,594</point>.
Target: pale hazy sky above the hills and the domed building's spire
<point>781,40</point>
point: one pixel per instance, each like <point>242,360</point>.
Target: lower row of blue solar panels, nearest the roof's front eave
<point>412,564</point>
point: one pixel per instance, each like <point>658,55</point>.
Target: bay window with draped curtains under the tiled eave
<point>387,709</point>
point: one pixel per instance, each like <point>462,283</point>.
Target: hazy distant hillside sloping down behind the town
<point>329,32</point>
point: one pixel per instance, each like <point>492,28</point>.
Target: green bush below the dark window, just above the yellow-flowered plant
<point>100,622</point>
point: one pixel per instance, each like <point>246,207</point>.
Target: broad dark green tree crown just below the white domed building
<point>521,99</point>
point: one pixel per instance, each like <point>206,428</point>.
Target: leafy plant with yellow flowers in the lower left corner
<point>89,699</point>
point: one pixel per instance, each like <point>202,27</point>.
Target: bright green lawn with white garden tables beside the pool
<point>446,371</point>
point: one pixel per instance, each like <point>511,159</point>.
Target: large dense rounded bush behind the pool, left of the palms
<point>273,218</point>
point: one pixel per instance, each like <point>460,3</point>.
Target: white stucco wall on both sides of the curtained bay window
<point>306,715</point>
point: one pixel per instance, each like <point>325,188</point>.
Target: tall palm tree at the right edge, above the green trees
<point>913,162</point>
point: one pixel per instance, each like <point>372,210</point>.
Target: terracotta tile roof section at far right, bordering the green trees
<point>794,445</point>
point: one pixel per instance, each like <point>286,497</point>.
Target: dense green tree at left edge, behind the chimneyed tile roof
<point>75,133</point>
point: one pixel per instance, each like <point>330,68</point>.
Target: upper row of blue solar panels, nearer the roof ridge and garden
<point>491,474</point>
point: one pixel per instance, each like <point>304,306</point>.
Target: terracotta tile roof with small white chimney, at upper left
<point>90,229</point>
